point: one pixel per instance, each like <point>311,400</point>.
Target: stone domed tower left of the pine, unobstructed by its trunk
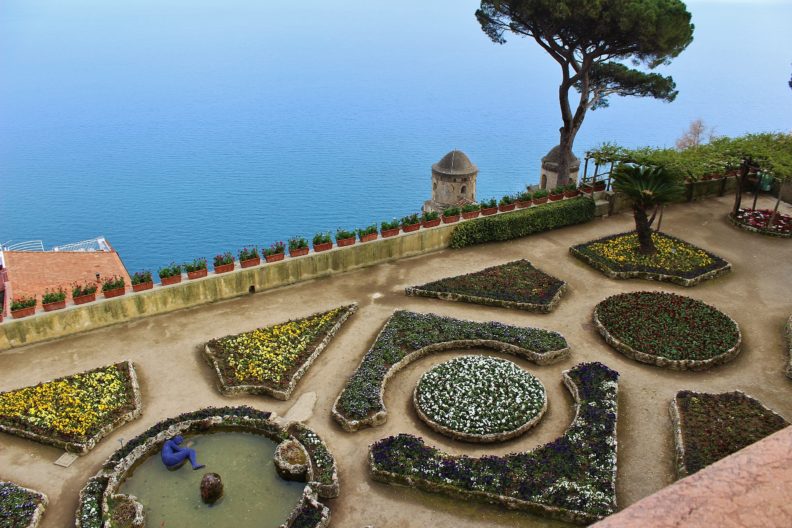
<point>453,182</point>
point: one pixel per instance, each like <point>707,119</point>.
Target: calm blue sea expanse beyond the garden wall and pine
<point>183,128</point>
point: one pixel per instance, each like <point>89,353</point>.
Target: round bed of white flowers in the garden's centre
<point>479,399</point>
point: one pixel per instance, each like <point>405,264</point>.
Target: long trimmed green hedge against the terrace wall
<point>523,222</point>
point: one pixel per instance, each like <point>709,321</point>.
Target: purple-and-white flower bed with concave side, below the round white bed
<point>572,478</point>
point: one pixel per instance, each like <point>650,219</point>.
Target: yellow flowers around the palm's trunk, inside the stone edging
<point>672,254</point>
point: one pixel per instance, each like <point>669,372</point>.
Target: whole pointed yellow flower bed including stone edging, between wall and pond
<point>272,360</point>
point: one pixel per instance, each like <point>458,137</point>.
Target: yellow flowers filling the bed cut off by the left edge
<point>74,407</point>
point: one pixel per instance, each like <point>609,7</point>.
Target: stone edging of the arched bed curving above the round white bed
<point>380,417</point>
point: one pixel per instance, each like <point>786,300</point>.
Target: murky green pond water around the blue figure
<point>255,496</point>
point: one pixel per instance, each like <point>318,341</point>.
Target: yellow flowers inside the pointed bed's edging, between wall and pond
<point>266,355</point>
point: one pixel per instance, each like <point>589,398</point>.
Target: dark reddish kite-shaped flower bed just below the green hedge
<point>513,285</point>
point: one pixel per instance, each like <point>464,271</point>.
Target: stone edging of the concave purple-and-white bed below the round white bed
<point>502,500</point>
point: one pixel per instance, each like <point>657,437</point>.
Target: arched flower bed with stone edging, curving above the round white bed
<point>408,336</point>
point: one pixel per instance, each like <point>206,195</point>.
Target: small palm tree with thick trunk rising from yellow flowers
<point>648,187</point>
